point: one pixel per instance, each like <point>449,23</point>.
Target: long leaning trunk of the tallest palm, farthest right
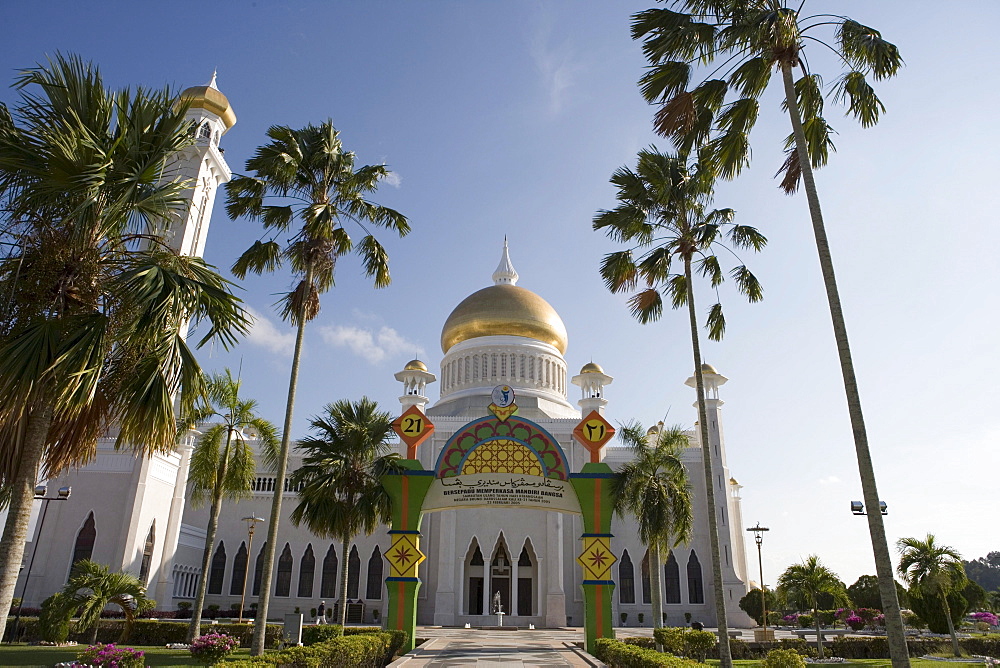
<point>883,560</point>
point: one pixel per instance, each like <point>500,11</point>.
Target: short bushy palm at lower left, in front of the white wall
<point>92,587</point>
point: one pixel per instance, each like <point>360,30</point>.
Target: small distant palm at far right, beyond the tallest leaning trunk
<point>934,570</point>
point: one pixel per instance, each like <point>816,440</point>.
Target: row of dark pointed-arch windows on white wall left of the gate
<point>306,573</point>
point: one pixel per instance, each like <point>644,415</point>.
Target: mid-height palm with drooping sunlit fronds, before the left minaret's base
<point>223,464</point>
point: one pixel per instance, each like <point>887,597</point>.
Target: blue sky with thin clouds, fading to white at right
<point>507,118</point>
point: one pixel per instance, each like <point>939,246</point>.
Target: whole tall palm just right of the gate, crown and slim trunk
<point>662,214</point>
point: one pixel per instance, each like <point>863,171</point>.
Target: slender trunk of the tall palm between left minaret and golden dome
<point>260,623</point>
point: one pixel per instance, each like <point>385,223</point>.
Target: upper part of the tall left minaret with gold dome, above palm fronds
<point>202,163</point>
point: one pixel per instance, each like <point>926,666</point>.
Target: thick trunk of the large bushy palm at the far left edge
<point>22,494</point>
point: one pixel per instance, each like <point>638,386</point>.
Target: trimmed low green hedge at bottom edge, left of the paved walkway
<point>360,650</point>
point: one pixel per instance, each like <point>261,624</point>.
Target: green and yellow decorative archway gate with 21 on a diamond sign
<point>501,460</point>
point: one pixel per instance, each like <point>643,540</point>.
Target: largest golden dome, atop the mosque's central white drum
<point>504,310</point>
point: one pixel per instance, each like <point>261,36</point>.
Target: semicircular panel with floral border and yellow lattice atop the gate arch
<point>515,445</point>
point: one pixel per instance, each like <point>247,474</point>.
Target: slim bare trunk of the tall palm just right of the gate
<point>725,656</point>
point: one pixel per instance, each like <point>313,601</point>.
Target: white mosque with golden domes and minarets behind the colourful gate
<point>132,513</point>
